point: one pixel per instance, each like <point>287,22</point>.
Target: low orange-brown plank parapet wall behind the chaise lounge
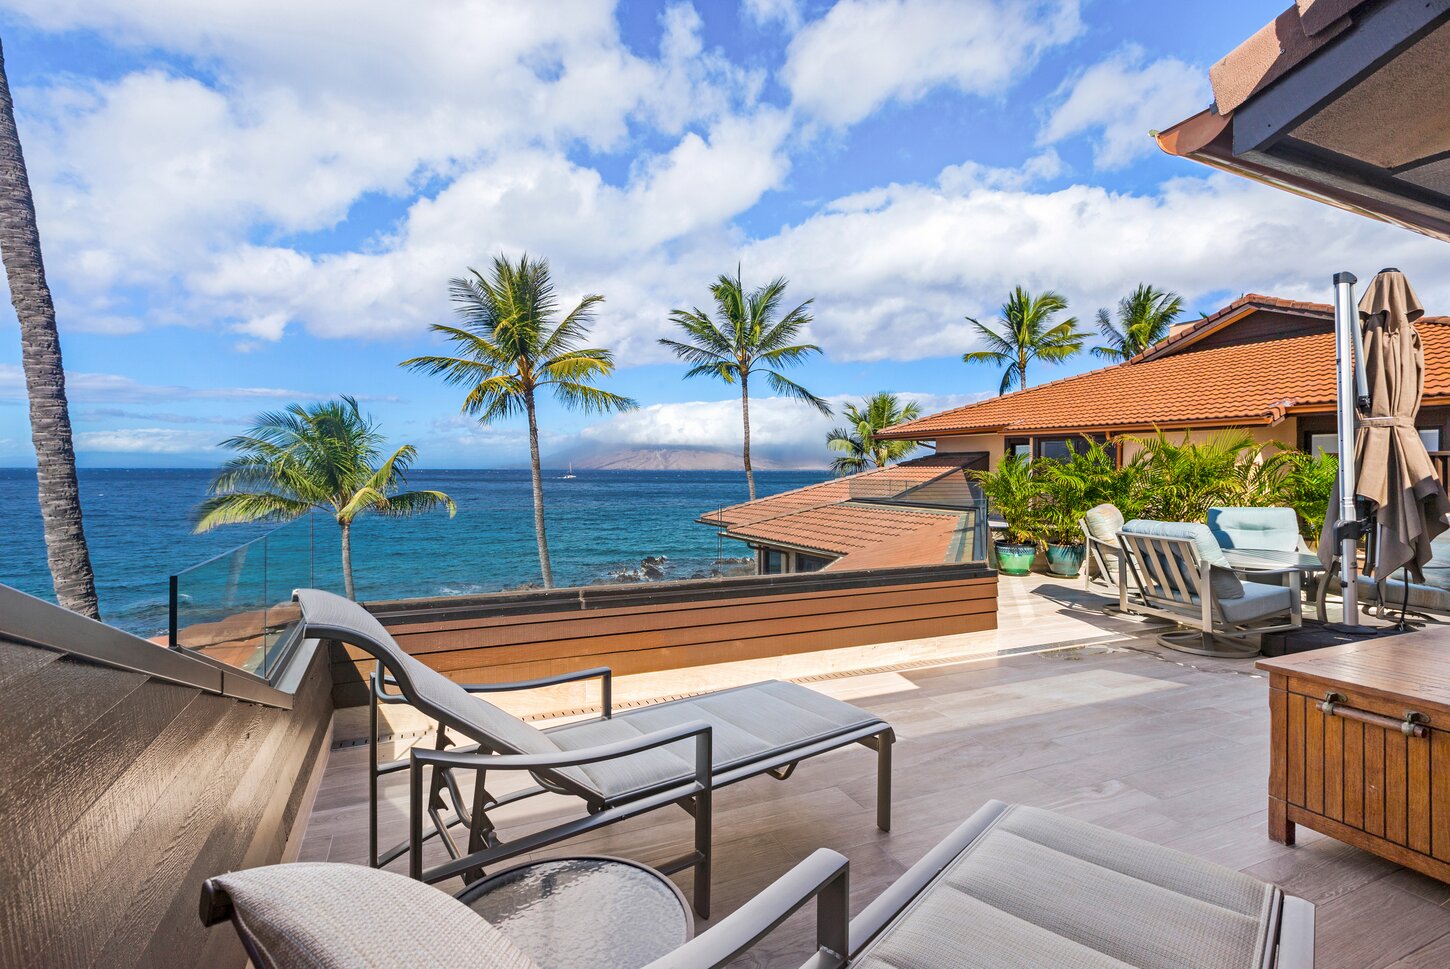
<point>676,624</point>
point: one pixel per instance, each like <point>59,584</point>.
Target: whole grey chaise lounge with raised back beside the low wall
<point>621,767</point>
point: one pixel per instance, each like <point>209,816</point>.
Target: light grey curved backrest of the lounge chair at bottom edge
<point>355,918</point>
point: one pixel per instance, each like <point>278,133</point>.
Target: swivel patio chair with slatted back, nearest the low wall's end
<point>1180,572</point>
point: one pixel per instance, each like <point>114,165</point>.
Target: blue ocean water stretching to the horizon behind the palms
<point>602,526</point>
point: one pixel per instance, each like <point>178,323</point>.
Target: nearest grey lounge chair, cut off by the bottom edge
<point>1011,888</point>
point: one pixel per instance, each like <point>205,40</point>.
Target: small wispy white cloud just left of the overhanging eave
<point>1123,99</point>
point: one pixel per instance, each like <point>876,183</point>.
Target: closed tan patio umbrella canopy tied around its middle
<point>1393,466</point>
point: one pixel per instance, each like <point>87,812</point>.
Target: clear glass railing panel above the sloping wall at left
<point>237,607</point>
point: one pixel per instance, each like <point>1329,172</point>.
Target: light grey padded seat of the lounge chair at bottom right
<point>1040,890</point>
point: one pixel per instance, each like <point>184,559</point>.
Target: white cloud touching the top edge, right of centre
<point>866,53</point>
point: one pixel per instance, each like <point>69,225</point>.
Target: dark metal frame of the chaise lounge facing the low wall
<point>434,790</point>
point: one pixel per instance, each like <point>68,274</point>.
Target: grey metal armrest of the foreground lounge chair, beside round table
<point>824,877</point>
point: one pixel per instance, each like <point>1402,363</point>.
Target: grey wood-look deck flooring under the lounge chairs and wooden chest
<point>1159,745</point>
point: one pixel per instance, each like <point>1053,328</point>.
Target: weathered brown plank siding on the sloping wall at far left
<point>121,793</point>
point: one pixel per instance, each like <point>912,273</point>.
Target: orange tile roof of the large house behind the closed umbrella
<point>1233,385</point>
